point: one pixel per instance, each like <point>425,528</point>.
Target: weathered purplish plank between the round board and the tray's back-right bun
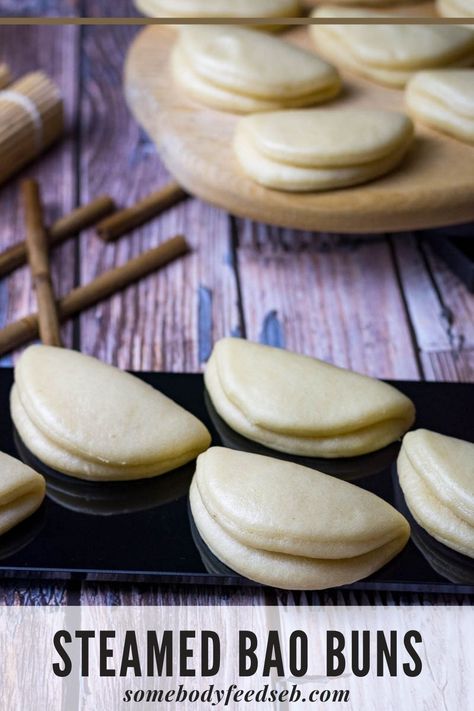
<point>337,299</point>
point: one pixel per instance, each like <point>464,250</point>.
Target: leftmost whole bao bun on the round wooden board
<point>244,71</point>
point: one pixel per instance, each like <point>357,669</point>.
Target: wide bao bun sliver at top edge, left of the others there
<point>219,8</point>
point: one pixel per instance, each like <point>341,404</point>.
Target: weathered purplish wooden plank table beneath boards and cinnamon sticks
<point>385,306</point>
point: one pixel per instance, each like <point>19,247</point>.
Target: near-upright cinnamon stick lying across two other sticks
<point>38,258</point>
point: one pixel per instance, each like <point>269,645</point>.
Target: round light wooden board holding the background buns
<point>434,187</point>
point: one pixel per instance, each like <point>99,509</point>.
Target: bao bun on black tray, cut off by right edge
<point>436,474</point>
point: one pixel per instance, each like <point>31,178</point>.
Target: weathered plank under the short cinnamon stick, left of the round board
<point>162,323</point>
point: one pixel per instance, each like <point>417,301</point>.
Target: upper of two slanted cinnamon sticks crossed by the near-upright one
<point>79,219</point>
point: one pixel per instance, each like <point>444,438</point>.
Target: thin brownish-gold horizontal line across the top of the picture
<point>290,21</point>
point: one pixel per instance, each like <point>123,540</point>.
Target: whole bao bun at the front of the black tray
<point>284,525</point>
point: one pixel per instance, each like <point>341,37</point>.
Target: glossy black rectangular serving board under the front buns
<point>141,531</point>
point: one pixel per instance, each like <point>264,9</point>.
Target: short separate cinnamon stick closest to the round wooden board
<point>127,220</point>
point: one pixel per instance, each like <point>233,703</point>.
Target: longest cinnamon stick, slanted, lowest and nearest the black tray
<point>83,297</point>
